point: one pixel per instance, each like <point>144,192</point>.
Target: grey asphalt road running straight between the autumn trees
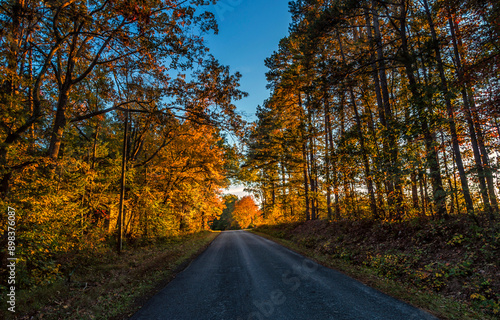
<point>242,276</point>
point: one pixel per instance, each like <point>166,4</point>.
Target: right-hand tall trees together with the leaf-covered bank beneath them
<point>378,148</point>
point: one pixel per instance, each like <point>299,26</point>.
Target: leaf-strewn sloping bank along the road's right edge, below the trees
<point>450,268</point>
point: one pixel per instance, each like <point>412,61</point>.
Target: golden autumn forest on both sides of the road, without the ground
<point>119,127</point>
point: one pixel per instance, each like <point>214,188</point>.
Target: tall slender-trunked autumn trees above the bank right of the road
<point>381,110</point>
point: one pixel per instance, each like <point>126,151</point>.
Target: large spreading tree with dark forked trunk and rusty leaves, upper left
<point>71,42</point>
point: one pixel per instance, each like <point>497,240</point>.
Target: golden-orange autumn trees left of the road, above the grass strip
<point>113,123</point>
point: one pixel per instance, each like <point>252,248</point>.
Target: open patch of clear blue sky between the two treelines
<point>249,32</point>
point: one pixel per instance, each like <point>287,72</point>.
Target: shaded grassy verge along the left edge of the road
<point>112,286</point>
